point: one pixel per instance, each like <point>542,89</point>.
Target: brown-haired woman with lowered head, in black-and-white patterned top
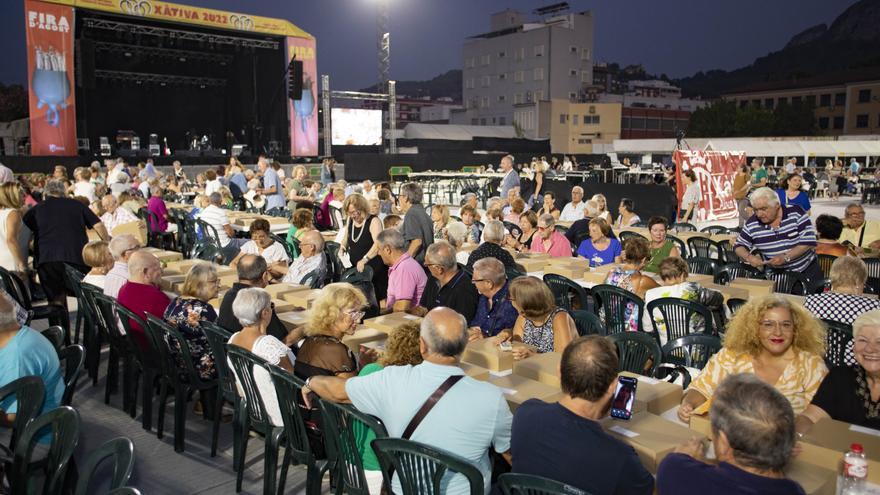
<point>541,324</point>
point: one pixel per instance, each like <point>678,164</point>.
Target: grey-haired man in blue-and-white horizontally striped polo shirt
<point>779,236</point>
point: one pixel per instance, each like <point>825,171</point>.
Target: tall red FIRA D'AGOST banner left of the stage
<point>49,32</point>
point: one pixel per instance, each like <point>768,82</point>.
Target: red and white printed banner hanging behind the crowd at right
<point>715,171</point>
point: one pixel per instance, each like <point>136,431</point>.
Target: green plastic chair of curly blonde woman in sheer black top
<point>297,448</point>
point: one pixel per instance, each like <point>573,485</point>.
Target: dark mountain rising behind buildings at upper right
<point>852,41</point>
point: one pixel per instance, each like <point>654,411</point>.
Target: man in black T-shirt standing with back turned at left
<point>59,225</point>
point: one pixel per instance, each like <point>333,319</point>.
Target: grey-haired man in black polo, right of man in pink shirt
<point>448,286</point>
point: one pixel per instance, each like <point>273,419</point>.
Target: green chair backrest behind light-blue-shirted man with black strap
<point>420,468</point>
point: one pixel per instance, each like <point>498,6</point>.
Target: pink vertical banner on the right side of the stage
<point>304,112</point>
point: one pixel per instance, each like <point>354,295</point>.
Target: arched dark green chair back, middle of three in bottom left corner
<point>64,424</point>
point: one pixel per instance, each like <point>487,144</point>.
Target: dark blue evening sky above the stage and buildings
<point>678,37</point>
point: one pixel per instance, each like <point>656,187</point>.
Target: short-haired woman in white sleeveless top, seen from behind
<point>253,310</point>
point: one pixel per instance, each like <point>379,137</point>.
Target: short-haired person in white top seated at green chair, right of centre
<point>674,273</point>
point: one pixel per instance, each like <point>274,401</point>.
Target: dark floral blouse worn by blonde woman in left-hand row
<point>185,315</point>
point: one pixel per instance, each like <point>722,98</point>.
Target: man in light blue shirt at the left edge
<point>24,352</point>
